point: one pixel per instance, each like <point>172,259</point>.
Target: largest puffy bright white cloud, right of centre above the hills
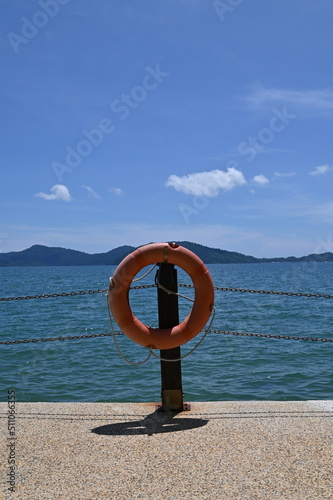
<point>207,183</point>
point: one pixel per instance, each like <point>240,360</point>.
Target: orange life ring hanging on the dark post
<point>157,338</point>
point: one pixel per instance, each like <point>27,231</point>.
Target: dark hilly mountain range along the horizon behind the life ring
<point>40,255</point>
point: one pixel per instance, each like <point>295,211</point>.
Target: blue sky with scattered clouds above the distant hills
<point>126,122</point>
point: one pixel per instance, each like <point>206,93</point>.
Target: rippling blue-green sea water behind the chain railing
<point>222,368</point>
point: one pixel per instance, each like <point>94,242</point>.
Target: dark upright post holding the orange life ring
<point>171,376</point>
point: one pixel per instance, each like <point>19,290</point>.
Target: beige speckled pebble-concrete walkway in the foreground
<point>218,450</point>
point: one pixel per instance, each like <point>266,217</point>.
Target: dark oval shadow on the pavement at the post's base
<point>155,423</point>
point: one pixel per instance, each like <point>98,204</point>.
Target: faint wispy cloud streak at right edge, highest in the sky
<point>321,99</point>
